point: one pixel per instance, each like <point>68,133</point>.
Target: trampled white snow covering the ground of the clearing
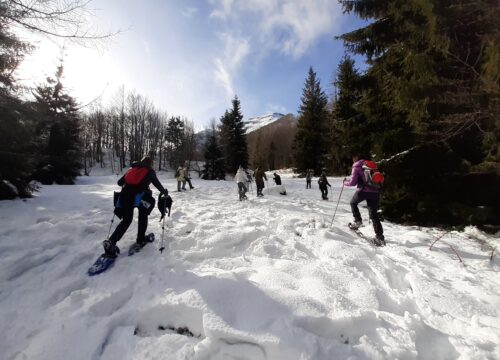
<point>267,278</point>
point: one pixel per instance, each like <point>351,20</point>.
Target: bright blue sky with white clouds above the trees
<point>190,57</point>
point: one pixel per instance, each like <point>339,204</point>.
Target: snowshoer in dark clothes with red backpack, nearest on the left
<point>135,193</point>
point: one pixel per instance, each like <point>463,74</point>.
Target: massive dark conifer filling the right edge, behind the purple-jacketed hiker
<point>432,88</point>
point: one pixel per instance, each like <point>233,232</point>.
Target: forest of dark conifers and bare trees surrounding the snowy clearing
<point>426,107</point>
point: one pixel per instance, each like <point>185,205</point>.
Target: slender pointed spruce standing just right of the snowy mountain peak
<point>310,145</point>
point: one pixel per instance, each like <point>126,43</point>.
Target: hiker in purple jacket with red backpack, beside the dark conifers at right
<point>365,192</point>
